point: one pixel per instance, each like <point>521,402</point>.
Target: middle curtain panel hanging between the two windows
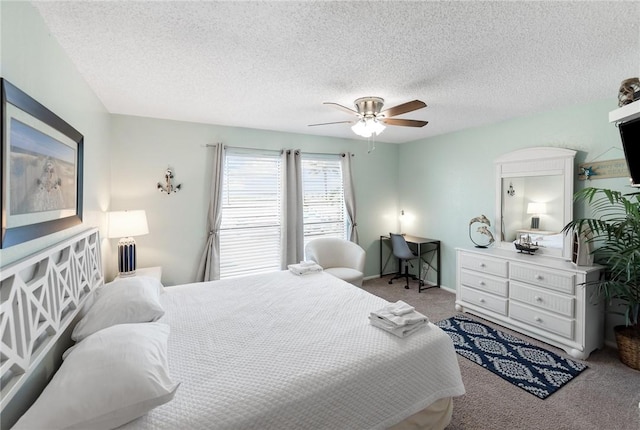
<point>292,220</point>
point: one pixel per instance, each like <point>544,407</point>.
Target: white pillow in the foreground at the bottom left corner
<point>107,380</point>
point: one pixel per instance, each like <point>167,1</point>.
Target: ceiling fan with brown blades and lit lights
<point>372,119</point>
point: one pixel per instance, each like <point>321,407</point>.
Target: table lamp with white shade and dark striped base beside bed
<point>125,225</point>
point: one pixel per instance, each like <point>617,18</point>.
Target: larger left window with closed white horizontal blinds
<point>251,208</point>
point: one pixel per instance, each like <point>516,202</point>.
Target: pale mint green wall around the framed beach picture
<point>34,62</point>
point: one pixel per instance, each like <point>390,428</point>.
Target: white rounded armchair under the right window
<point>338,257</point>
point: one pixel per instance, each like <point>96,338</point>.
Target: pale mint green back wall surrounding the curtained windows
<point>142,148</point>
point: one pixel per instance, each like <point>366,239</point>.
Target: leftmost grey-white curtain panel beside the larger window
<point>209,269</point>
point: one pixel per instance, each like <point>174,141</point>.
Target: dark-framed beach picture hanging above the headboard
<point>42,169</point>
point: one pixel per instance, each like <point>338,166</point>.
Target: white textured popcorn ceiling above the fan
<point>271,64</point>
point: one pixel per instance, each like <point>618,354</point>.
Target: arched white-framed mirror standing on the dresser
<point>534,200</point>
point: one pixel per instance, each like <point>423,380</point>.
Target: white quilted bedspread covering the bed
<point>281,351</point>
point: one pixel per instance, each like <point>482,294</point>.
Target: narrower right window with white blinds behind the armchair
<point>323,197</point>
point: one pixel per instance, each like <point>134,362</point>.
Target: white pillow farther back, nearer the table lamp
<point>123,301</point>
